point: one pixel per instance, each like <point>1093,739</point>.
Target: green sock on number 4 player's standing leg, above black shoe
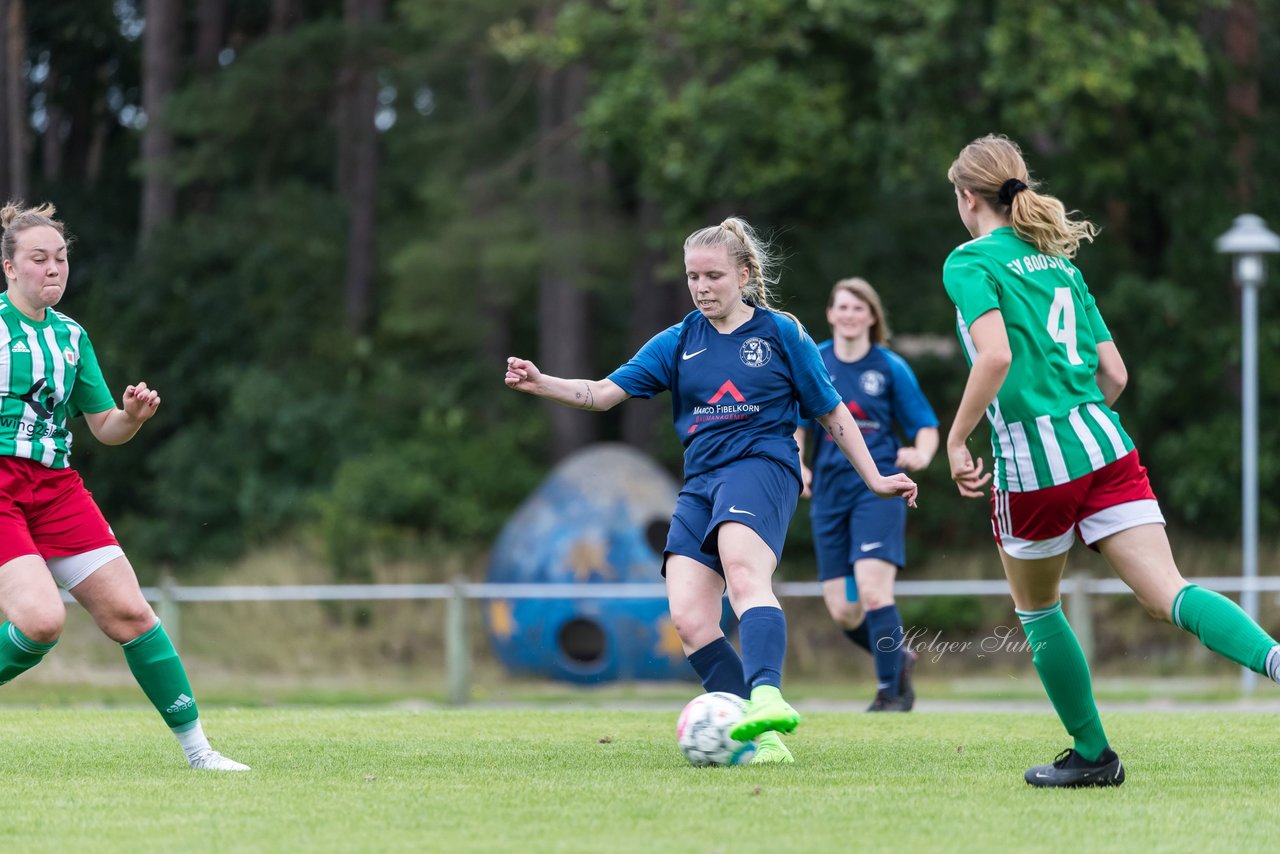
<point>1066,677</point>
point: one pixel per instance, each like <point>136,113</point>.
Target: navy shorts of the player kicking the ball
<point>755,492</point>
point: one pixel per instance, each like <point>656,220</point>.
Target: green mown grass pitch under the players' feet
<point>593,780</point>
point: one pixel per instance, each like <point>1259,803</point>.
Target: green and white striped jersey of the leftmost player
<point>48,376</point>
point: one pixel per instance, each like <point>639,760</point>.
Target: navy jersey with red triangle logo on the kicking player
<point>734,395</point>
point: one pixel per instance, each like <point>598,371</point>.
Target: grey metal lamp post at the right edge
<point>1249,243</point>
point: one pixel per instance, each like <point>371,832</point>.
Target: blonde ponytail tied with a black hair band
<point>993,167</point>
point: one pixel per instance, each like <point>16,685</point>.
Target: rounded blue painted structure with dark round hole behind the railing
<point>601,517</point>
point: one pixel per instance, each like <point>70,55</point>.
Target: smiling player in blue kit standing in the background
<point>860,538</point>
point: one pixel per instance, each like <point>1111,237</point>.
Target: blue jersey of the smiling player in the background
<point>883,392</point>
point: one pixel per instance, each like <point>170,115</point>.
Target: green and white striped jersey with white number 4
<point>1049,424</point>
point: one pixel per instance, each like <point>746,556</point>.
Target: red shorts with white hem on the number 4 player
<point>1044,523</point>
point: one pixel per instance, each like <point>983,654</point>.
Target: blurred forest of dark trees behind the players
<point>319,227</point>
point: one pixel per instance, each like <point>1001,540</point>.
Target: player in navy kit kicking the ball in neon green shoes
<point>738,372</point>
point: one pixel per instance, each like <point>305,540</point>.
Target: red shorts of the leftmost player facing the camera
<point>48,513</point>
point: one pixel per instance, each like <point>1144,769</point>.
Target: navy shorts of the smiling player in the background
<point>867,527</point>
